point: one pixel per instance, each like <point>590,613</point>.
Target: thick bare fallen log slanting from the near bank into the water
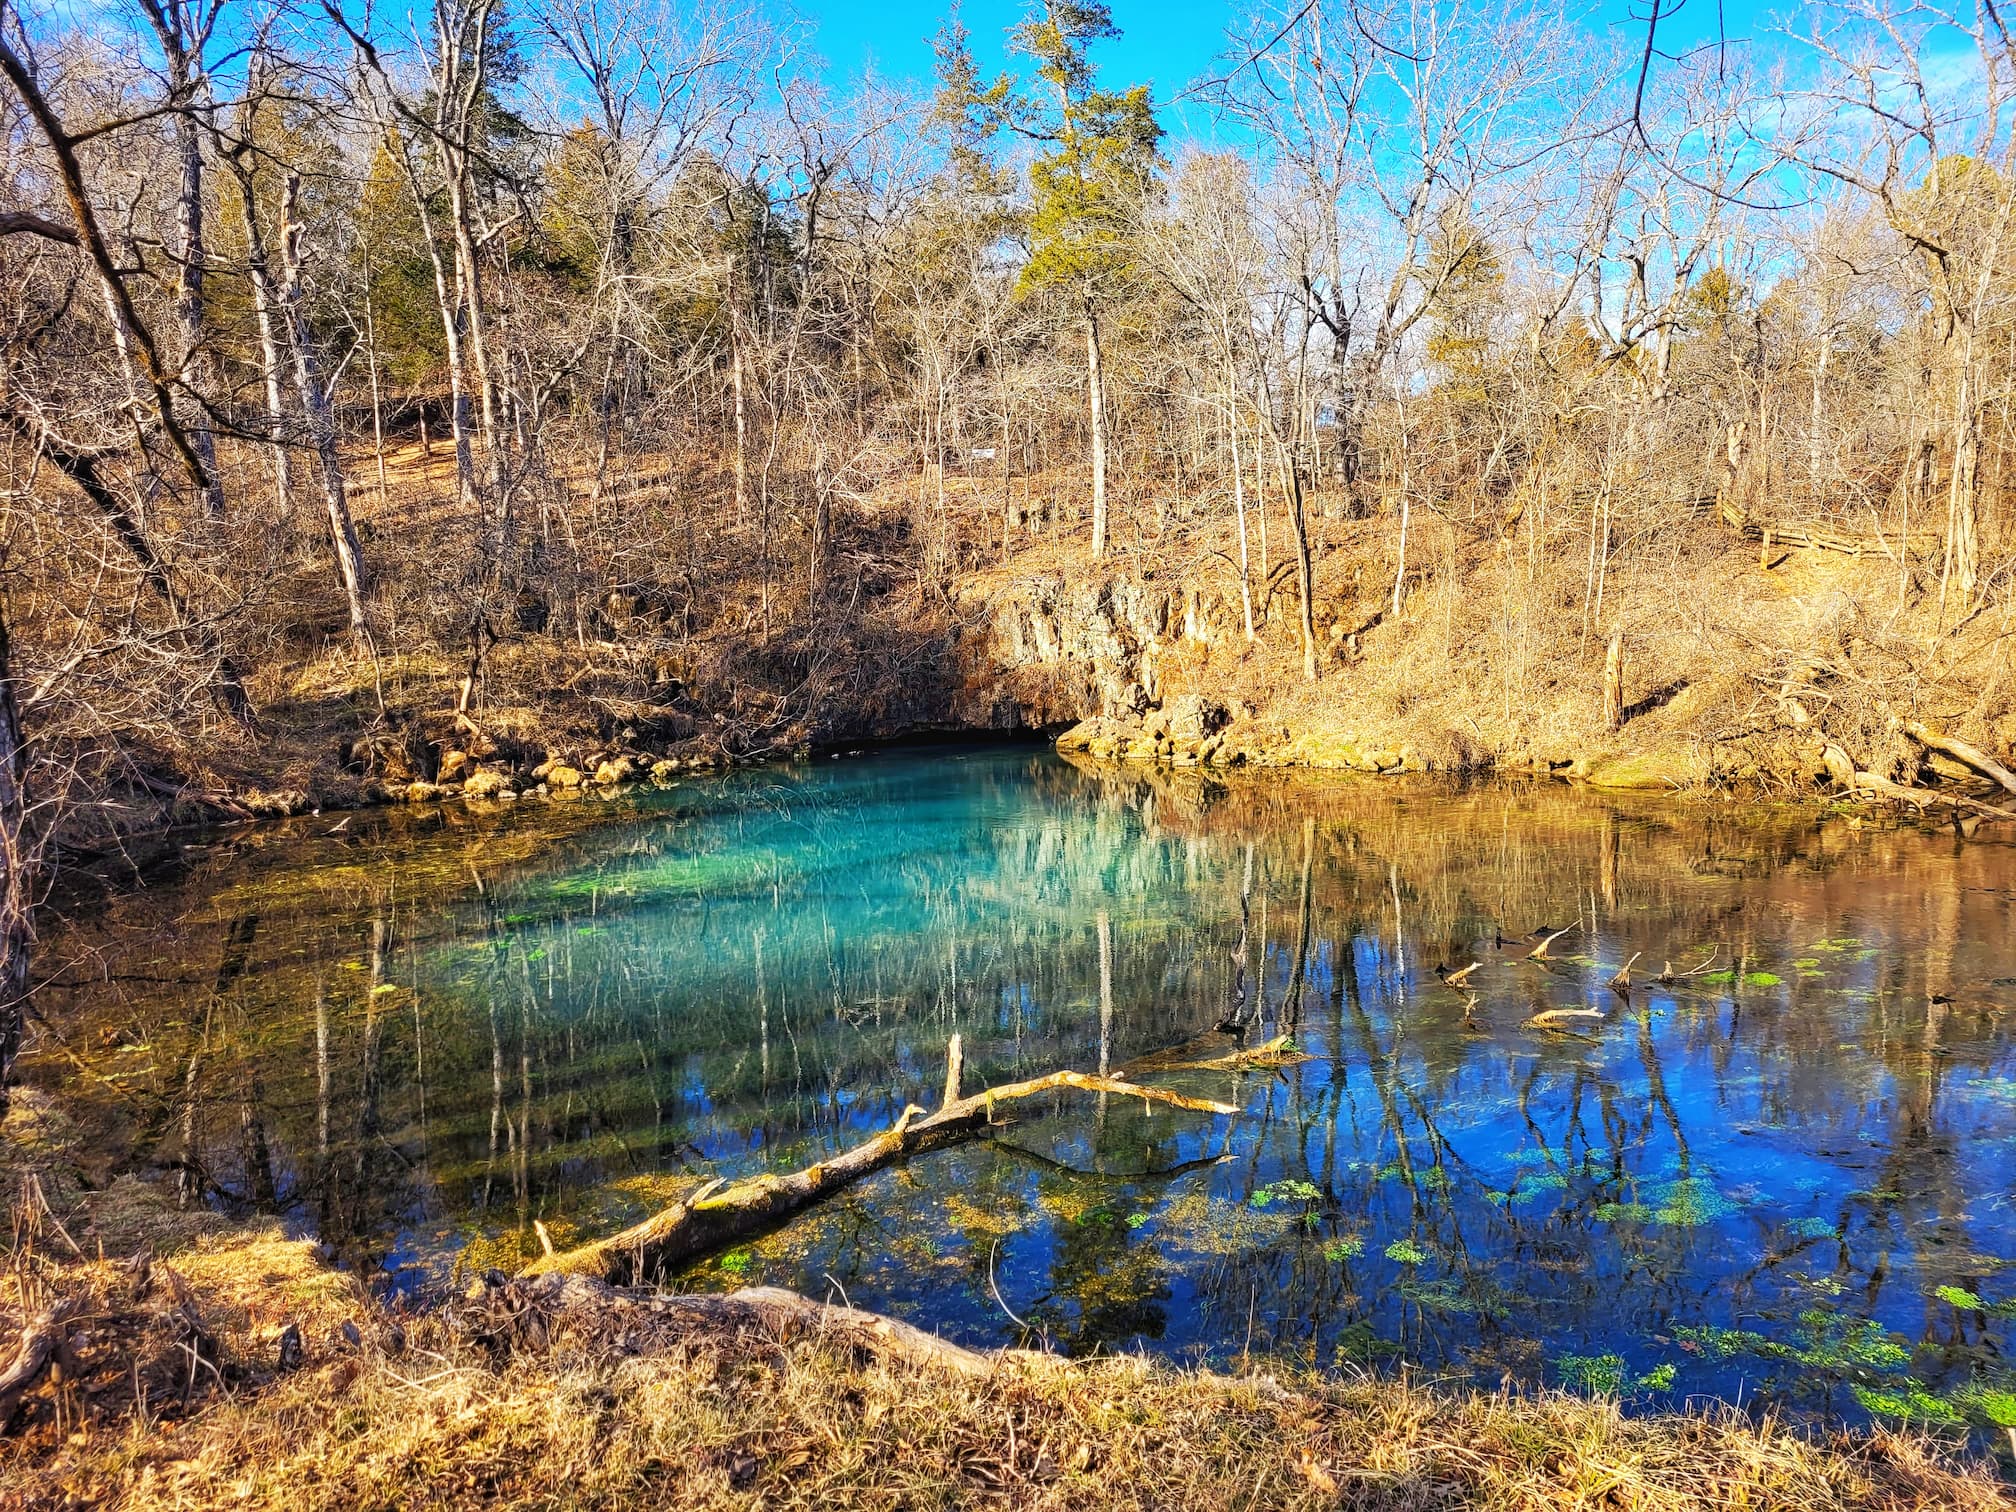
<point>719,1217</point>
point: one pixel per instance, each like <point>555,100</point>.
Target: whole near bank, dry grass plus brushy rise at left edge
<point>184,1388</point>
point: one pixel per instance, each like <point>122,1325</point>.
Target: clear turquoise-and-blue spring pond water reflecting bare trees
<point>1787,1178</point>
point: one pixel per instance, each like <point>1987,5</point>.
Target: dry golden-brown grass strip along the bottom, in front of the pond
<point>620,1412</point>
